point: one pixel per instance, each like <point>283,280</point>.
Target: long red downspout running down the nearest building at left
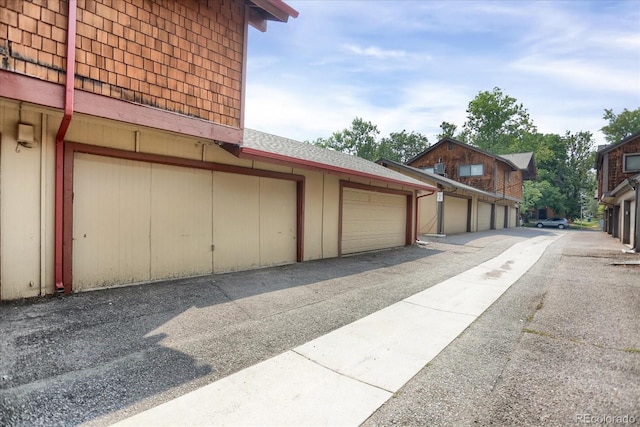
<point>62,131</point>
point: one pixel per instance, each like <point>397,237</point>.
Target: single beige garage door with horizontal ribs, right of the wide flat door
<point>372,220</point>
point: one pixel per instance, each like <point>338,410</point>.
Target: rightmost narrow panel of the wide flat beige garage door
<point>278,223</point>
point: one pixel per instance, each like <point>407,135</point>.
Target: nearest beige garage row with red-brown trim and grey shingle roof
<point>142,205</point>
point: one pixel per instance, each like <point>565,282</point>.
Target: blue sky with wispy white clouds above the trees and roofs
<point>412,64</point>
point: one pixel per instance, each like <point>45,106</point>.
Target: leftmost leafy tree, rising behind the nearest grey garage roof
<point>359,140</point>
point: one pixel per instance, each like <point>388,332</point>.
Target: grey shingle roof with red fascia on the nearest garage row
<point>271,148</point>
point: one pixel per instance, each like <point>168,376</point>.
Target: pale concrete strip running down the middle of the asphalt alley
<point>341,378</point>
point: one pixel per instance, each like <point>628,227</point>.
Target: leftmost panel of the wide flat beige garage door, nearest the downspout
<point>111,221</point>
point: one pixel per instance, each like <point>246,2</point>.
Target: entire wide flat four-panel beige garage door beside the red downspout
<point>137,221</point>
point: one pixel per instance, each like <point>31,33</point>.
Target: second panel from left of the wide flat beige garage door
<point>181,228</point>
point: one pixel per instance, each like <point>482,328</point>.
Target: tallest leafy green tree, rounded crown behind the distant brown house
<point>497,123</point>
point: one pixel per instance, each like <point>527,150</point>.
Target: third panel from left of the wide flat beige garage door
<point>236,222</point>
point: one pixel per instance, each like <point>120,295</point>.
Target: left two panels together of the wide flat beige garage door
<point>135,221</point>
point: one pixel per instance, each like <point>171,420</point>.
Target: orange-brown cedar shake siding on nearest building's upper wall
<point>180,56</point>
